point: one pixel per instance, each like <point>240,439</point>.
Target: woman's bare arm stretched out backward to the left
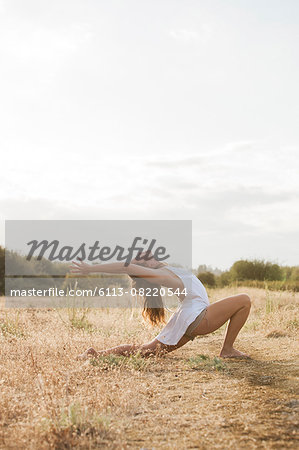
<point>156,276</point>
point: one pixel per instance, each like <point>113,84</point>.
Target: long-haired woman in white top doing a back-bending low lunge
<point>194,317</point>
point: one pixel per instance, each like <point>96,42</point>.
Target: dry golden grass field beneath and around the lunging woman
<point>186,399</point>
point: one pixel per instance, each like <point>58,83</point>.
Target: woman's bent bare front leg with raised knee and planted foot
<point>236,310</point>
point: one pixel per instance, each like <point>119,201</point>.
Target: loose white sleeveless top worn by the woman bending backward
<point>193,304</point>
